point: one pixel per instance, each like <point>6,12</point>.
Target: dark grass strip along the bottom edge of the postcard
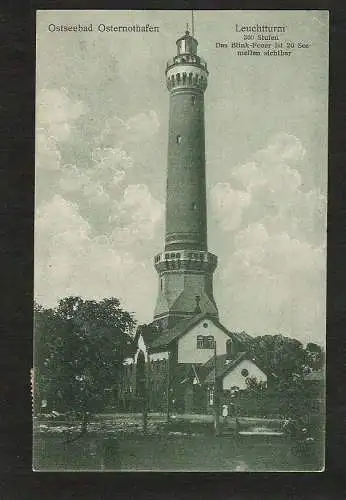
<point>168,453</point>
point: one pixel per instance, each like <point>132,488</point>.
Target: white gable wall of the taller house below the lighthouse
<point>187,345</point>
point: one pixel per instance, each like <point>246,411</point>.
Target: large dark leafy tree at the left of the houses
<point>80,347</point>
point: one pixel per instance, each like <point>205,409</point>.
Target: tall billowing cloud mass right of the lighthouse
<point>273,253</point>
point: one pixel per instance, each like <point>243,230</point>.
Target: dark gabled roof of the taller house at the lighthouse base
<point>168,336</point>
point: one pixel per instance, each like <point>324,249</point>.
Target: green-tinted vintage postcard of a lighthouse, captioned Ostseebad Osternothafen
<point>180,240</point>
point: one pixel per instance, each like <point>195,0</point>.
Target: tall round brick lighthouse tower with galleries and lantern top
<point>185,268</point>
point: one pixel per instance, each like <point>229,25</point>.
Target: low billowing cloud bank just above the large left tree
<point>69,260</point>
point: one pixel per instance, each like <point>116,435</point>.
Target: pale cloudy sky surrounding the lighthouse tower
<point>101,155</point>
